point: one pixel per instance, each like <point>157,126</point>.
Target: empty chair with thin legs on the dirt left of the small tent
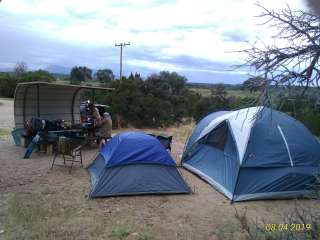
<point>69,150</point>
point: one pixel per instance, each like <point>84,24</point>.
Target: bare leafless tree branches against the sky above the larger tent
<point>295,63</point>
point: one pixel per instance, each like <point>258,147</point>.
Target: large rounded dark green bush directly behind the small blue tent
<point>161,100</point>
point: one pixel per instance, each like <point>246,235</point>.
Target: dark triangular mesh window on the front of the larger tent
<point>218,137</point>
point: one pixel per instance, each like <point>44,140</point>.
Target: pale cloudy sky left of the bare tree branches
<point>194,38</point>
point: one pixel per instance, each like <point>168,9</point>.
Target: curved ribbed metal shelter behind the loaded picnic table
<point>48,101</point>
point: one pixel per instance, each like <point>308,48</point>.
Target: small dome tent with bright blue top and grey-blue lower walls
<point>134,163</point>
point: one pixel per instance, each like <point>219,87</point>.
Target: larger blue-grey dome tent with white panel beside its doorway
<point>254,153</point>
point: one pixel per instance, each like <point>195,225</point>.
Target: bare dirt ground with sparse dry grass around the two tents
<point>38,203</point>
